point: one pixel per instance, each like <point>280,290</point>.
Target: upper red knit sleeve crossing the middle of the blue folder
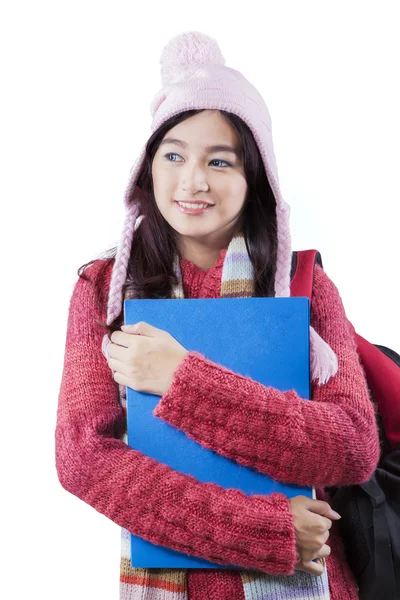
<point>331,440</point>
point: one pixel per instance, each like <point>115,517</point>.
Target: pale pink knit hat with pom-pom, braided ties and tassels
<point>194,76</point>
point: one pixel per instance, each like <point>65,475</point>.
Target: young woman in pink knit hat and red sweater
<point>204,219</point>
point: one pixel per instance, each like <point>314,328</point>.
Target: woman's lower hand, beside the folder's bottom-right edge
<point>312,522</point>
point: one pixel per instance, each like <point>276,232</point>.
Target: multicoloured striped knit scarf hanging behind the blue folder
<point>172,584</point>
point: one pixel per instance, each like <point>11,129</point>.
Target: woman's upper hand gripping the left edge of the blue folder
<point>144,357</point>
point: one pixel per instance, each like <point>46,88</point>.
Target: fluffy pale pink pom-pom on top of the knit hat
<point>185,50</point>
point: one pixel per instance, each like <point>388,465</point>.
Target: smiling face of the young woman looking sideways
<point>188,165</point>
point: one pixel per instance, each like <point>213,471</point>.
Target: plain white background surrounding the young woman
<point>77,81</point>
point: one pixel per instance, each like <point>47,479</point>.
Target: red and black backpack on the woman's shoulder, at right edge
<point>370,523</point>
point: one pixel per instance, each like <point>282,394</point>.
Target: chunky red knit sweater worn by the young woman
<point>332,440</point>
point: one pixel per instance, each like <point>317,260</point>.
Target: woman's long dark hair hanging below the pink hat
<point>150,268</point>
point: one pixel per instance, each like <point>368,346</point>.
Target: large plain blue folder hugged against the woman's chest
<point>266,339</point>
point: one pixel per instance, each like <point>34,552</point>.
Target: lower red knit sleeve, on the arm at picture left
<point>140,494</point>
